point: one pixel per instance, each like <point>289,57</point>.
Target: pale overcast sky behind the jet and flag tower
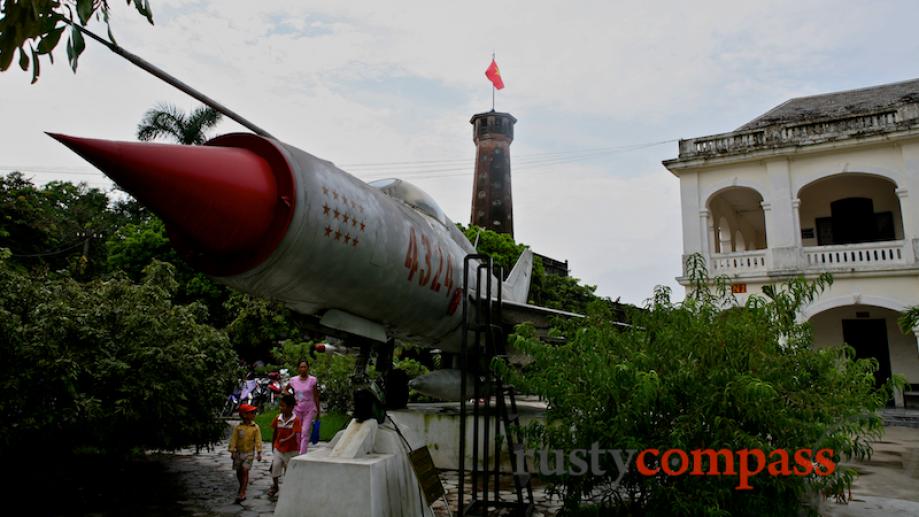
<point>360,82</point>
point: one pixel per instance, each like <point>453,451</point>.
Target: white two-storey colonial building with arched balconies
<point>822,183</point>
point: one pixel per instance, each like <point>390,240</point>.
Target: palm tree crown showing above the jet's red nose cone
<point>165,120</point>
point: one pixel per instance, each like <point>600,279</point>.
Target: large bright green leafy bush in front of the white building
<point>694,375</point>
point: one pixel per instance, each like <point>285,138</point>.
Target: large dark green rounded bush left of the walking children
<point>107,365</point>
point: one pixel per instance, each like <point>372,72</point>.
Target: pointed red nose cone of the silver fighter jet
<point>226,206</point>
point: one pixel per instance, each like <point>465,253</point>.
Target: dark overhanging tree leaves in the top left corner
<point>35,27</point>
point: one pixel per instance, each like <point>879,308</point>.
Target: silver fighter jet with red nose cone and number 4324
<point>369,263</point>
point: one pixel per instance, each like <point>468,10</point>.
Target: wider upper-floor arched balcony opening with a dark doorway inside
<point>850,221</point>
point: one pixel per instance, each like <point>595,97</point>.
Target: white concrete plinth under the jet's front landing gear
<point>376,484</point>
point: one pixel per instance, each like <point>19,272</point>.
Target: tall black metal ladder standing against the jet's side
<point>482,321</point>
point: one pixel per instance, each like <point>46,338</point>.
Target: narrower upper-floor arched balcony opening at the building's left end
<point>737,235</point>
